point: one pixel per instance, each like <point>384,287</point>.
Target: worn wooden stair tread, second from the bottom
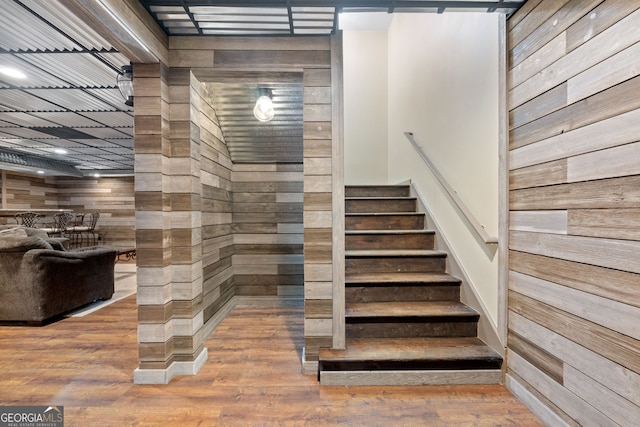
<point>420,309</point>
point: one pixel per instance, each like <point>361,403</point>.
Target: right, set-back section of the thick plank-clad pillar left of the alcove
<point>186,224</point>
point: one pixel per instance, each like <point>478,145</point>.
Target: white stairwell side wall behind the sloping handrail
<point>443,87</point>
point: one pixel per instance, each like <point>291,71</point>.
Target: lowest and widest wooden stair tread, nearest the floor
<point>407,349</point>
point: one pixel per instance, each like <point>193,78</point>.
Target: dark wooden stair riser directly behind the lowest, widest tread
<point>410,330</point>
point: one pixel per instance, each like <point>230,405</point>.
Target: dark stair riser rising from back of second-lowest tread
<point>401,293</point>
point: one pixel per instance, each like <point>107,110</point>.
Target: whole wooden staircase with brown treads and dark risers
<point>405,324</point>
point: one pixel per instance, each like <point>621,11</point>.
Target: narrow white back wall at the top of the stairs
<point>365,107</point>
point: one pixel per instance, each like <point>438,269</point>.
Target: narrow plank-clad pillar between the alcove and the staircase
<point>317,216</point>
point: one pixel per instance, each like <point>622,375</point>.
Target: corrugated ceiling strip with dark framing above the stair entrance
<point>291,17</point>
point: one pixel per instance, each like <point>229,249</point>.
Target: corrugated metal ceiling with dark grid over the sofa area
<point>69,99</point>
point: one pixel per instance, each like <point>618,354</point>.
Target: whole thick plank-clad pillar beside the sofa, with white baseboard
<point>167,230</point>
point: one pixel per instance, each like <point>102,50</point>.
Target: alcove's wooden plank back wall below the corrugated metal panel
<point>267,227</point>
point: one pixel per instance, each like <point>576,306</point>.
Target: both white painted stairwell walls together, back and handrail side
<point>436,76</point>
